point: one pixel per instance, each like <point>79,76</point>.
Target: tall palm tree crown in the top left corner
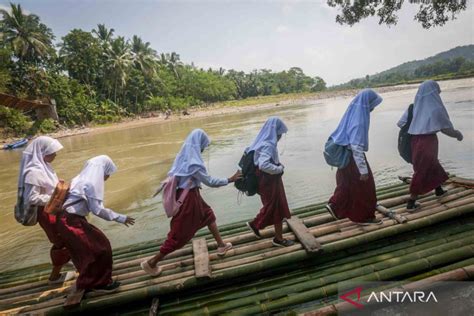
<point>29,39</point>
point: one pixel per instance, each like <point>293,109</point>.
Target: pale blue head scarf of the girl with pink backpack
<point>189,159</point>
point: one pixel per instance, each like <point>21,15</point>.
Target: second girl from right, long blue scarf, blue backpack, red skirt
<point>354,196</point>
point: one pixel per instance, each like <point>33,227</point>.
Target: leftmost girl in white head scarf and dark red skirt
<point>39,181</point>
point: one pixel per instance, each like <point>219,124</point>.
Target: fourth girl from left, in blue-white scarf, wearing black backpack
<point>270,185</point>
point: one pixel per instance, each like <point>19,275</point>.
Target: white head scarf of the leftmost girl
<point>33,169</point>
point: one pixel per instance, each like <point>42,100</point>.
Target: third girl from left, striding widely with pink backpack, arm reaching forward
<point>194,213</point>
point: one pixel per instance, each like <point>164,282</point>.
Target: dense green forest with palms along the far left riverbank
<point>98,76</point>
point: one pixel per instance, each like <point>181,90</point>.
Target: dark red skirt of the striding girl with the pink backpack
<point>193,215</point>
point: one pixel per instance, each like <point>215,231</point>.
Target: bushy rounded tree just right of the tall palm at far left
<point>80,54</point>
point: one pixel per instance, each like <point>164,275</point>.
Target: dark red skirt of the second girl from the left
<point>89,248</point>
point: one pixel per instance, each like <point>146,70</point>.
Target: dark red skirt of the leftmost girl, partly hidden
<point>58,253</point>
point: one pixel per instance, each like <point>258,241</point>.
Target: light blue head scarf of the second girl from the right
<point>353,129</point>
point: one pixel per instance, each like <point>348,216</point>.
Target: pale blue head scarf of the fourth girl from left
<point>267,139</point>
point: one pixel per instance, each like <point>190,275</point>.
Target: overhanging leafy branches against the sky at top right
<point>431,13</point>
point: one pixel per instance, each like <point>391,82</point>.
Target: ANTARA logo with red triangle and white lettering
<point>389,297</point>
